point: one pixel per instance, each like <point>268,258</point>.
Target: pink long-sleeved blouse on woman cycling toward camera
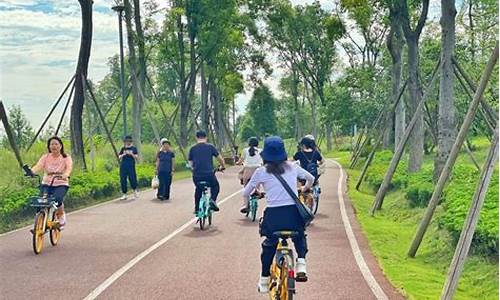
<point>53,166</point>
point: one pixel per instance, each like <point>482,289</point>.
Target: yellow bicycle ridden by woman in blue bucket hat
<point>282,280</point>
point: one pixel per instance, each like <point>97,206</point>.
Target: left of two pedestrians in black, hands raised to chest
<point>128,155</point>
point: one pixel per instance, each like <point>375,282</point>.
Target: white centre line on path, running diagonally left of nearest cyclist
<point>106,283</point>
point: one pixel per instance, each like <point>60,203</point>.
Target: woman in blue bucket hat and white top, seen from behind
<point>281,212</point>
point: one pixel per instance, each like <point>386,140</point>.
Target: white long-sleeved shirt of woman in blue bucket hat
<point>276,195</point>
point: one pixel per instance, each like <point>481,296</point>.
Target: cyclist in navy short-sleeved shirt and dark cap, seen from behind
<point>200,161</point>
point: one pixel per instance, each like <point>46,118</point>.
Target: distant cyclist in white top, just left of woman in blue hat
<point>251,160</point>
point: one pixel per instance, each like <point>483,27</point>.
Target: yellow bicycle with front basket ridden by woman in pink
<point>45,219</point>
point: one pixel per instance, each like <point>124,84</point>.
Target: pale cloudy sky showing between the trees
<point>39,43</point>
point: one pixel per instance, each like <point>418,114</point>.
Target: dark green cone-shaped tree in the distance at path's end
<point>261,110</point>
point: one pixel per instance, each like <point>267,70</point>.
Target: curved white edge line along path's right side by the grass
<point>360,261</point>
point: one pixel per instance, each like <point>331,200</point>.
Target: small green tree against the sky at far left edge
<point>21,128</point>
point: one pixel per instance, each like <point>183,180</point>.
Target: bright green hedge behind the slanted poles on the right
<point>456,199</point>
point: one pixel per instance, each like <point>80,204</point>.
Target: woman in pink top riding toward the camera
<point>56,164</point>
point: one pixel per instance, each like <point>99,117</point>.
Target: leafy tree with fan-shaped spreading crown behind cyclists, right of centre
<point>305,36</point>
